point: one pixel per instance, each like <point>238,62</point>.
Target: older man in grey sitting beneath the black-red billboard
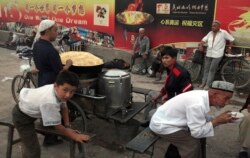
<point>141,48</point>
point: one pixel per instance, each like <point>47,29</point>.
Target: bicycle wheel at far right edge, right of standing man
<point>236,71</point>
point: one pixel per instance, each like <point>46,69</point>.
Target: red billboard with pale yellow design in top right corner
<point>235,17</point>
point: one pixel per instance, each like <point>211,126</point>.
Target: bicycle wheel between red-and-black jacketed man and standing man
<point>193,68</point>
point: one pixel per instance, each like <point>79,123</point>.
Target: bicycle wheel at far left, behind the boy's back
<point>17,84</point>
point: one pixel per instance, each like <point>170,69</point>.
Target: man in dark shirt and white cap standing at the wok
<point>48,62</point>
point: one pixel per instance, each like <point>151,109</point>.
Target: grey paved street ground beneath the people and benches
<point>223,145</point>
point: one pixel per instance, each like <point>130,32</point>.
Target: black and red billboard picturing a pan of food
<point>165,21</point>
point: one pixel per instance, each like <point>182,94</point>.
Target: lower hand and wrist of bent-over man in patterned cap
<point>223,118</point>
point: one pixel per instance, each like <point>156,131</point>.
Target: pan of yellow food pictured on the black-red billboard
<point>134,18</point>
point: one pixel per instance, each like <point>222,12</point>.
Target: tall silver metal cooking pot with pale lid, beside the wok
<point>116,86</point>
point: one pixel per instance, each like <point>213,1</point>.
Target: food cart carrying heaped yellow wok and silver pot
<point>106,94</point>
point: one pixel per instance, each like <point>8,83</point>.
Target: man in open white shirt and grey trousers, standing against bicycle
<point>216,42</point>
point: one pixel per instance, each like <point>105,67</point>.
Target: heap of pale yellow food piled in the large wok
<point>81,58</point>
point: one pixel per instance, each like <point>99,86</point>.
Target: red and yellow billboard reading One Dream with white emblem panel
<point>89,14</point>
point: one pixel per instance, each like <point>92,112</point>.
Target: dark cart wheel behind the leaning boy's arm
<point>78,122</point>
